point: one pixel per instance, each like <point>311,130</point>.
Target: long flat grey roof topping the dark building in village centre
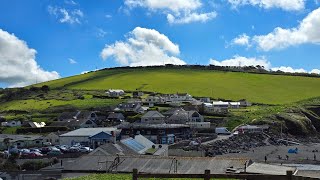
<point>152,126</point>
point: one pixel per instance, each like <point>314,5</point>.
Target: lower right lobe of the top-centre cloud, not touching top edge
<point>192,17</point>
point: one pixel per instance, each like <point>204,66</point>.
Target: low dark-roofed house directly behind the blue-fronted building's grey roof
<point>75,123</point>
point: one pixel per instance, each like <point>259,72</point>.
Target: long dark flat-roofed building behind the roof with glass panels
<point>157,133</point>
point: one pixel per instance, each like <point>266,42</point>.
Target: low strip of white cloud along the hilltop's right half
<point>261,61</point>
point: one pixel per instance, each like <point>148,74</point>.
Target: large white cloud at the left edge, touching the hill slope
<point>18,66</point>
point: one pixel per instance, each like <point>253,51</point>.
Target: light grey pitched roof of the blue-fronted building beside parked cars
<point>89,131</point>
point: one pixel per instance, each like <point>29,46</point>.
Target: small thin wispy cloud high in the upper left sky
<point>66,16</point>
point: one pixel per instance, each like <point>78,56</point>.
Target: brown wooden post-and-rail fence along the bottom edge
<point>208,176</point>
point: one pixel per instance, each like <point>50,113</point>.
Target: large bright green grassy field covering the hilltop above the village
<point>258,88</point>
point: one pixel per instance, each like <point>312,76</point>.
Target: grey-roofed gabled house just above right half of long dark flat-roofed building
<point>182,117</point>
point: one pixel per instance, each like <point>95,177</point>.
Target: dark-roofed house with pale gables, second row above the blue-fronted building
<point>66,116</point>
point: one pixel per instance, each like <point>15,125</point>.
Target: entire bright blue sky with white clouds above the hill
<point>49,39</point>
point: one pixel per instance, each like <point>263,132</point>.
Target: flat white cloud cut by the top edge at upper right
<point>287,5</point>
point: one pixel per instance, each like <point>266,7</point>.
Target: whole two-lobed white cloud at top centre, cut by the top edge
<point>178,11</point>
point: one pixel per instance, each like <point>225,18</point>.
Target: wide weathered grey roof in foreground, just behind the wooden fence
<point>155,164</point>
